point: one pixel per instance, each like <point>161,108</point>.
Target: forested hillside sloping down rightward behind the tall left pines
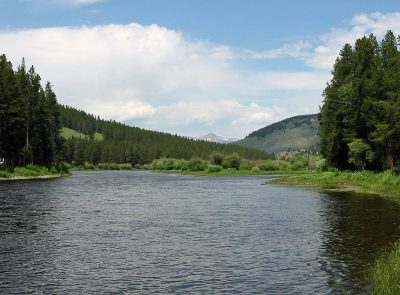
<point>126,144</point>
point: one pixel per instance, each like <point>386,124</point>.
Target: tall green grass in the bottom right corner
<point>386,273</point>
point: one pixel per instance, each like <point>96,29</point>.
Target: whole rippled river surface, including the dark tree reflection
<point>140,232</point>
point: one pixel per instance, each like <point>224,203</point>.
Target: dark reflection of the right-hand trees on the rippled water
<point>356,230</point>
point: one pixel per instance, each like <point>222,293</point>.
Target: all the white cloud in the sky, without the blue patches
<point>156,78</point>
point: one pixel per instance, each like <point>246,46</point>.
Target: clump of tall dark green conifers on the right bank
<point>360,115</point>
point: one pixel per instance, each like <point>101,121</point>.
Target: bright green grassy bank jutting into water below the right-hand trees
<point>384,183</point>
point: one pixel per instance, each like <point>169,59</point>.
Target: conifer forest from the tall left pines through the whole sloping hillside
<point>31,120</point>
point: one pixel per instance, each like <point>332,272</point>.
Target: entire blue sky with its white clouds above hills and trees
<point>189,67</point>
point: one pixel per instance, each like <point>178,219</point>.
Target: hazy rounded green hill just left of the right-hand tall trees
<point>295,133</point>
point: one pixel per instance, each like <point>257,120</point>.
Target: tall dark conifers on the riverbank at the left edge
<point>29,117</point>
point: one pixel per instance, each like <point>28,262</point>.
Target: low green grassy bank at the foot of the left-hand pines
<point>34,172</point>
